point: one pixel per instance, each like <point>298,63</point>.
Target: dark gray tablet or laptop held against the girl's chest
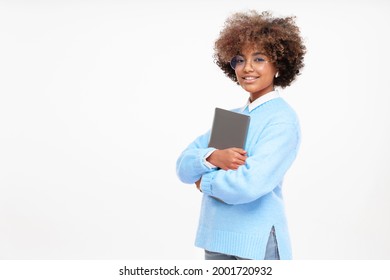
<point>229,129</point>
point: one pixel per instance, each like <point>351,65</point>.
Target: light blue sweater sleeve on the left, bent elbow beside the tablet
<point>190,164</point>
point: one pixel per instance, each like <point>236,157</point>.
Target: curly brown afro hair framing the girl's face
<point>278,38</point>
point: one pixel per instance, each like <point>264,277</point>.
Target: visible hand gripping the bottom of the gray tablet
<point>226,159</point>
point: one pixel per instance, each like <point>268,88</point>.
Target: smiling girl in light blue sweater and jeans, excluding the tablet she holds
<point>242,214</point>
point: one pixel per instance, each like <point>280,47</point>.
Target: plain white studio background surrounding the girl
<point>98,99</point>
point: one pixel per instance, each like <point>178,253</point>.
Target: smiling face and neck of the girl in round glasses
<point>255,73</point>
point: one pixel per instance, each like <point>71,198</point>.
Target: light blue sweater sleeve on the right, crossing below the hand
<point>264,169</point>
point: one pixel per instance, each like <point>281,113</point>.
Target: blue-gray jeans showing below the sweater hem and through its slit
<point>271,253</point>
